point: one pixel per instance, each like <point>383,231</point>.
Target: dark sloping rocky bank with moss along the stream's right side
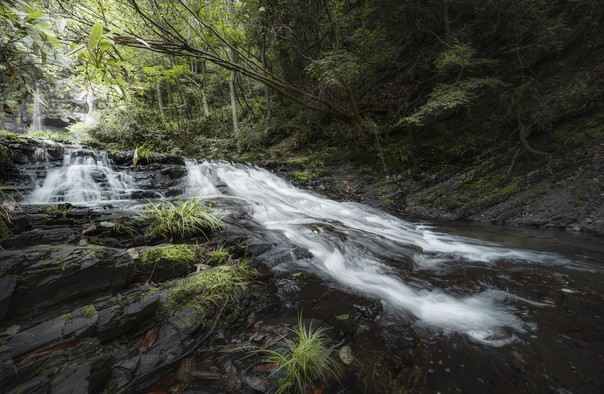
<point>563,191</point>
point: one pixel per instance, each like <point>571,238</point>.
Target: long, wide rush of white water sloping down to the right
<point>349,243</point>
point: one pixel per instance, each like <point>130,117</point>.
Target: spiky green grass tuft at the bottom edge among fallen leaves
<point>305,359</point>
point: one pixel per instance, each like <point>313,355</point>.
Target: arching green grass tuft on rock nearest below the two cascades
<point>179,220</point>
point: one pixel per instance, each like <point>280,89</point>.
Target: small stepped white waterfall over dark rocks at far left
<point>84,177</point>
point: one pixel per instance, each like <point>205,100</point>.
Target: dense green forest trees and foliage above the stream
<point>387,82</point>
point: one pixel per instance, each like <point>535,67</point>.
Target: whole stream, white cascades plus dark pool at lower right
<point>463,307</point>
